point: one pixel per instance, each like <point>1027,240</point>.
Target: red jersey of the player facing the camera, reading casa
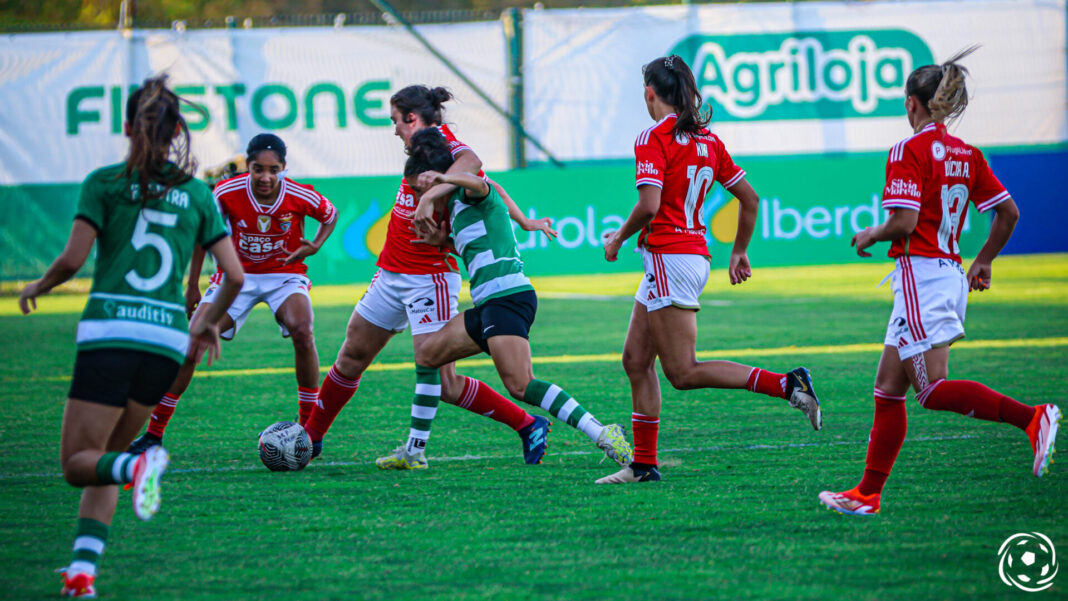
<point>265,236</point>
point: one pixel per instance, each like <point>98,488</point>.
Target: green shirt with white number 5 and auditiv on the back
<point>143,254</point>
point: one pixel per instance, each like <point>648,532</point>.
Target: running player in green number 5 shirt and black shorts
<point>146,215</point>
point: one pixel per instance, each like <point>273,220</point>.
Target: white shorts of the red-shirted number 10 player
<point>672,280</point>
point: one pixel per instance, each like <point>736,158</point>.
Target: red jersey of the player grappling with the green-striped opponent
<point>400,256</point>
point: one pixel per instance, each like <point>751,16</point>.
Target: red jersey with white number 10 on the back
<point>685,169</point>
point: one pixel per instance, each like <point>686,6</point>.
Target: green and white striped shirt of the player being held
<point>482,232</point>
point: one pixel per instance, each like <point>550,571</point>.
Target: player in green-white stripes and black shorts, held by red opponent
<point>505,303</point>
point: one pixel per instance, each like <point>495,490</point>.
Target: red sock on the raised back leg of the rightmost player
<point>977,401</point>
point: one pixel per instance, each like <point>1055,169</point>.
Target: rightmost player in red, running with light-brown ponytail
<point>931,179</point>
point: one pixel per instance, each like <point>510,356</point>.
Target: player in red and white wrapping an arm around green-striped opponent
<point>418,286</point>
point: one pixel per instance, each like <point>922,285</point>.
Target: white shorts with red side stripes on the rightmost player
<point>931,298</point>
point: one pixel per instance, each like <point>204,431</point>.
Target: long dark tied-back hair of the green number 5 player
<point>159,137</point>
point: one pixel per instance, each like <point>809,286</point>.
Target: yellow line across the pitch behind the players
<point>616,357</point>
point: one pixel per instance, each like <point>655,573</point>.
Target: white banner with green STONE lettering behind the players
<point>324,91</point>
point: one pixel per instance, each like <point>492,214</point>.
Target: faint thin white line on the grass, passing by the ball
<point>462,458</point>
